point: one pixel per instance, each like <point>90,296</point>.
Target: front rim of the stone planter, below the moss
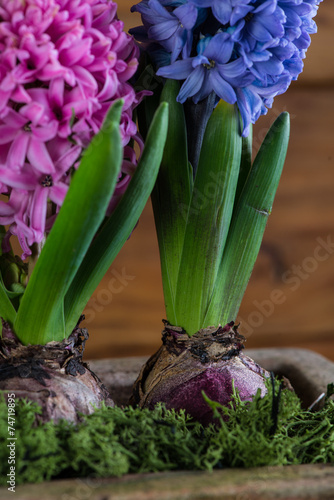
<point>309,482</point>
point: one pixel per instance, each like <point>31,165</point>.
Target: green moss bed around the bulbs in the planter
<point>115,441</point>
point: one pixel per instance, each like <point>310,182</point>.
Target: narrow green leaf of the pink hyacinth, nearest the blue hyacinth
<point>120,224</point>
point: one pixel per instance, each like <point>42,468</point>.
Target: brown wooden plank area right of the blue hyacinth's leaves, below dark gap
<point>297,256</point>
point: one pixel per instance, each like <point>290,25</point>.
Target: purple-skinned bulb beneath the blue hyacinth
<point>185,366</point>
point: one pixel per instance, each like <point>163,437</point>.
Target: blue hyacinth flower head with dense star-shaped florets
<point>266,41</point>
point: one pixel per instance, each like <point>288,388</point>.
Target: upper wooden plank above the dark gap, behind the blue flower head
<point>318,64</point>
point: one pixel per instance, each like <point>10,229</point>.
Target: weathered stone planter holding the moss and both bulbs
<point>309,374</point>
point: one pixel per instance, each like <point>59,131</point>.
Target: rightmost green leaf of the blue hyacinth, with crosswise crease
<point>248,224</point>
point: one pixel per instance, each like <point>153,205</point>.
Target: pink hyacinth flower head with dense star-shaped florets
<point>62,65</point>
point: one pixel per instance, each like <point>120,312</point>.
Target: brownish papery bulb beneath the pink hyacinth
<point>52,375</point>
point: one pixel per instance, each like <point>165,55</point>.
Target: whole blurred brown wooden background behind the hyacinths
<point>290,297</point>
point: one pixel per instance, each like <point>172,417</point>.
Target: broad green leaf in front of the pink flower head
<point>40,315</point>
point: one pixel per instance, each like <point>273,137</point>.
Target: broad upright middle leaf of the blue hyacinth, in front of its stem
<point>209,216</point>
